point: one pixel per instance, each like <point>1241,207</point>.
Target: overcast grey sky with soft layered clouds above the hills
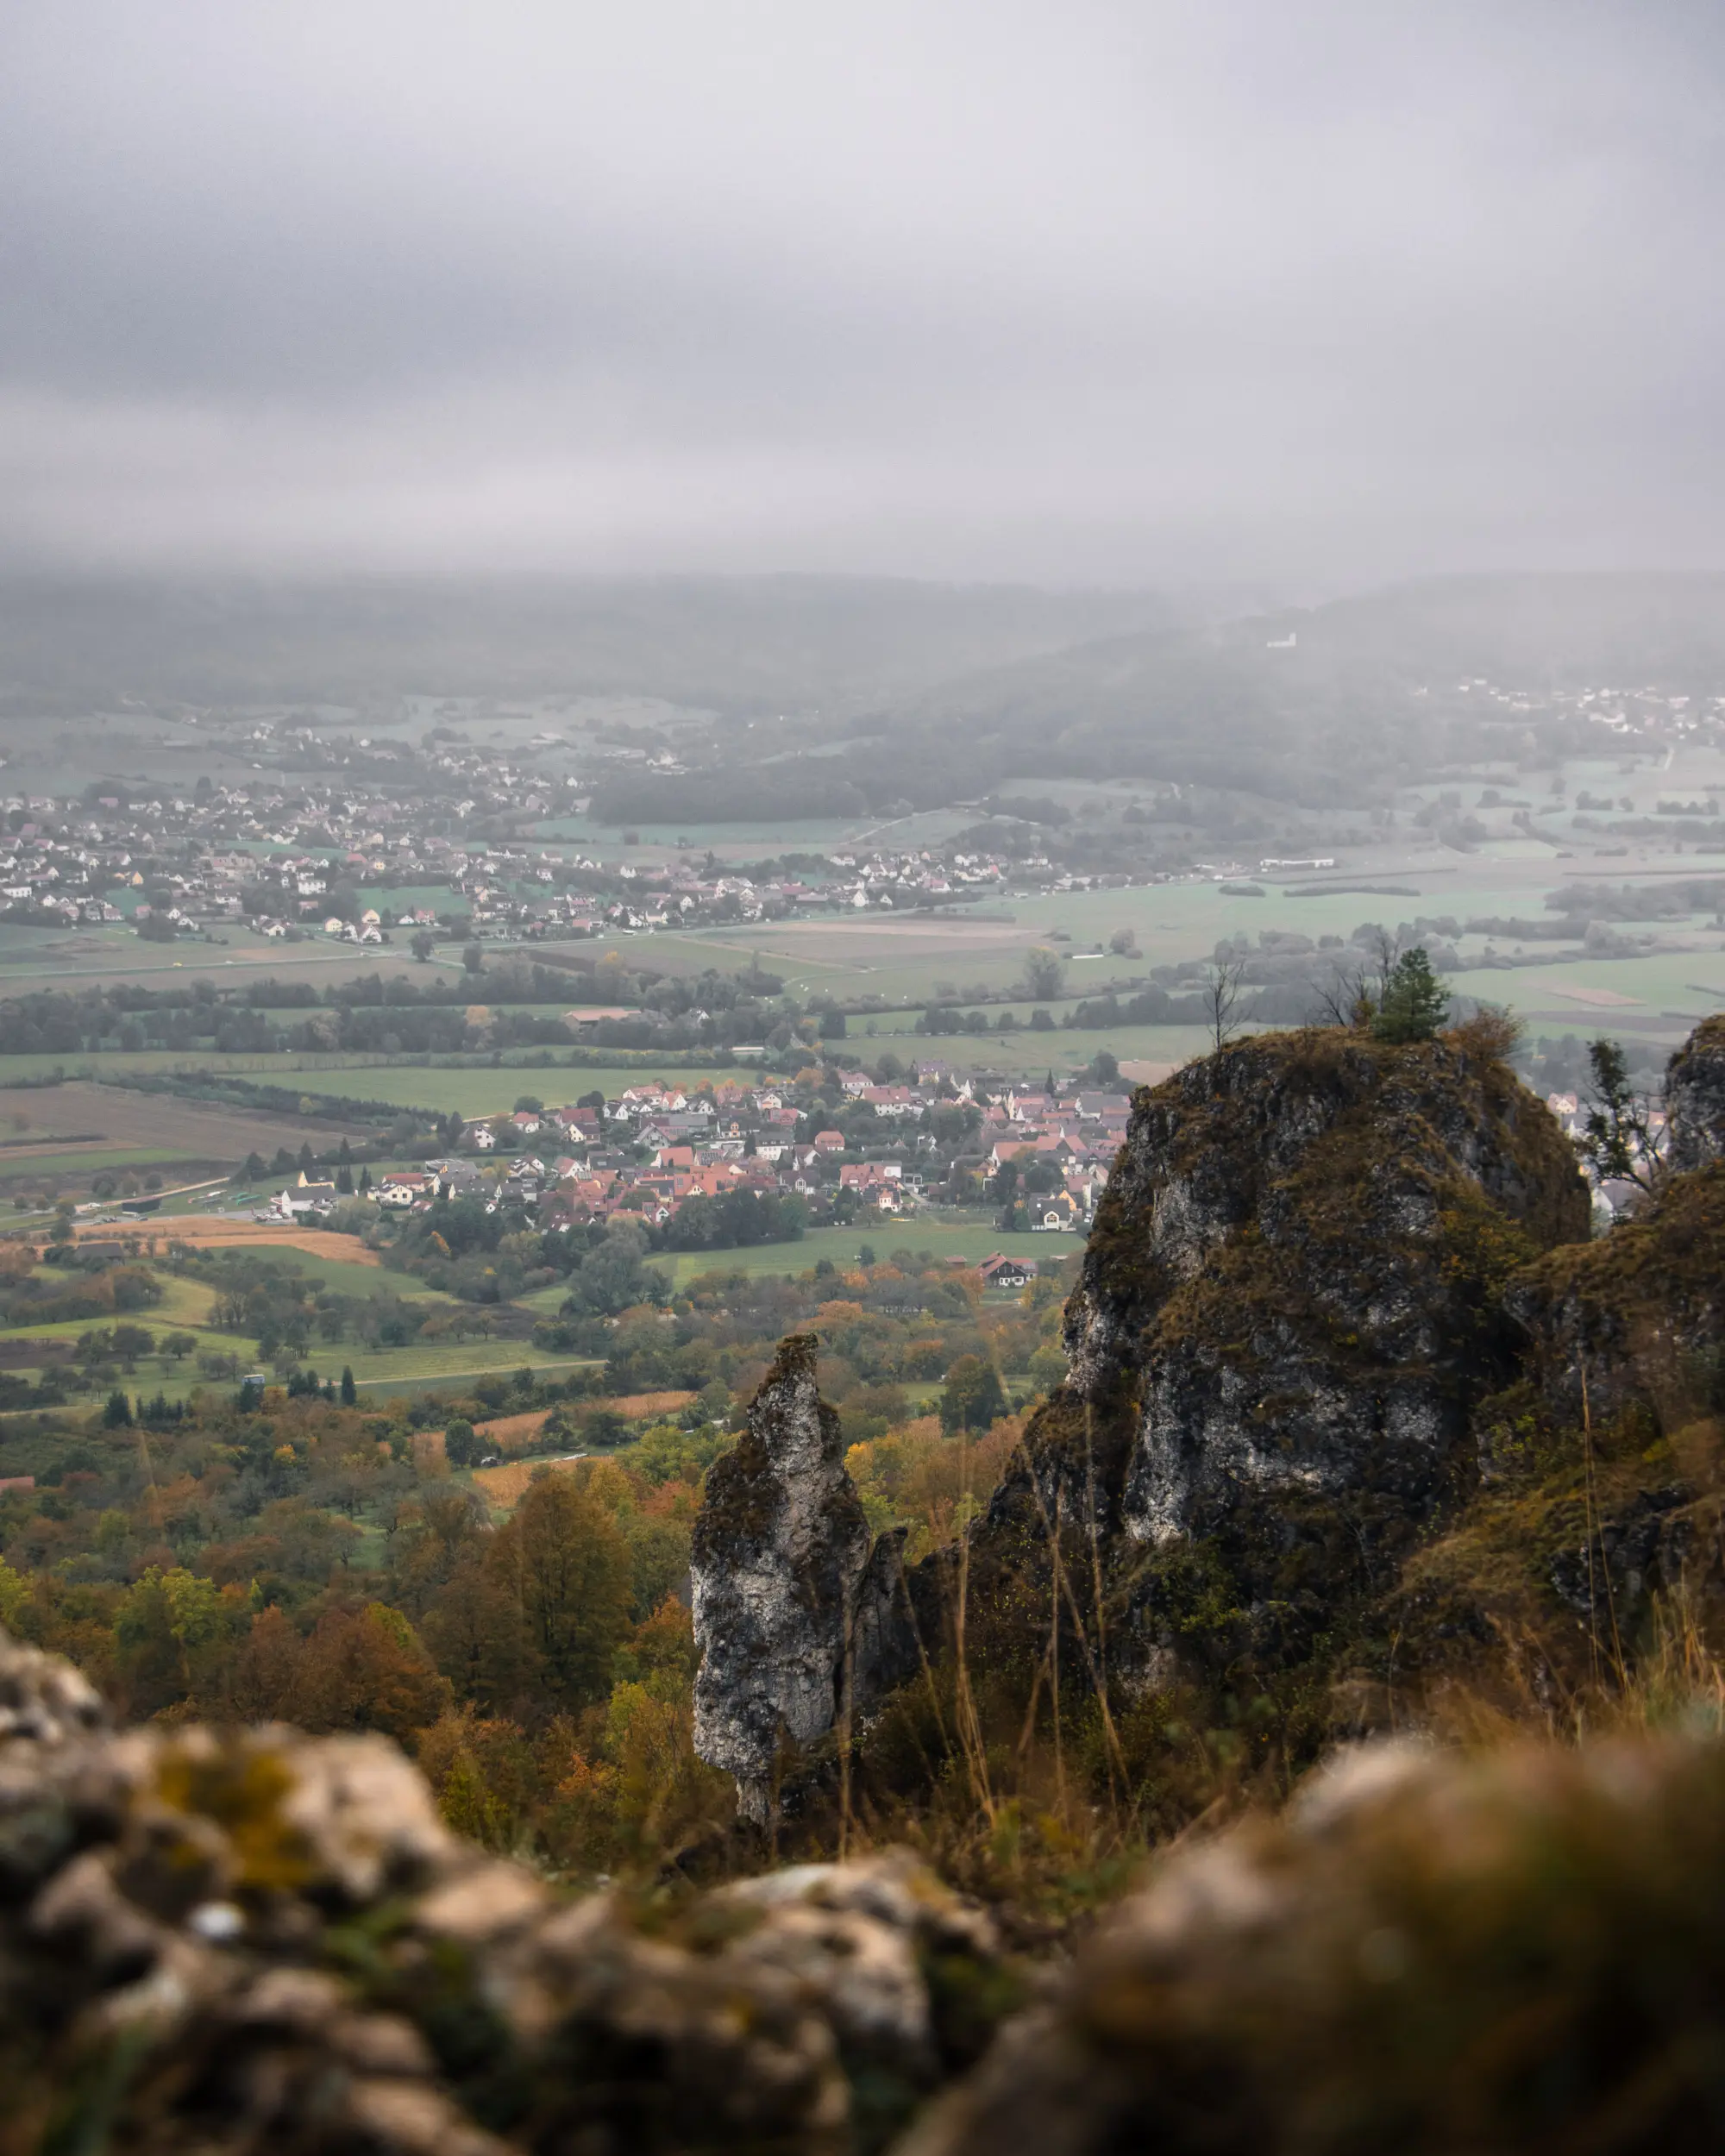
<point>1096,290</point>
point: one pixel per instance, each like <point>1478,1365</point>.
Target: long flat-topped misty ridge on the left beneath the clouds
<point>730,644</point>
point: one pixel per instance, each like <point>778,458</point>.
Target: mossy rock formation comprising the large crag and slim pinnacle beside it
<point>1301,1286</point>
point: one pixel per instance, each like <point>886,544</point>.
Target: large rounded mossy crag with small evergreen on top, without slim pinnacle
<point>1291,1301</point>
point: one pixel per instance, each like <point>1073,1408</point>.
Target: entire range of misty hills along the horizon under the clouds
<point>894,695</point>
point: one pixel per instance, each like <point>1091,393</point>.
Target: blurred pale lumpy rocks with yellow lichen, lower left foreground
<point>271,1946</point>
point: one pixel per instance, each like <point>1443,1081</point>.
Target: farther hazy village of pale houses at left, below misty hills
<point>396,818</point>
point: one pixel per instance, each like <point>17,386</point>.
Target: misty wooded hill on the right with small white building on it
<point>1306,706</point>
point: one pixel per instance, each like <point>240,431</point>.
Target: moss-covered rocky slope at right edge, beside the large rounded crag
<point>1601,1471</point>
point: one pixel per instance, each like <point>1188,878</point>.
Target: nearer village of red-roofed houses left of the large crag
<point>654,1148</point>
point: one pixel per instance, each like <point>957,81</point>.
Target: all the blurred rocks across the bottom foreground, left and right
<point>271,1946</point>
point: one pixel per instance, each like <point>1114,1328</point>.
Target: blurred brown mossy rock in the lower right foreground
<point>1426,1954</point>
